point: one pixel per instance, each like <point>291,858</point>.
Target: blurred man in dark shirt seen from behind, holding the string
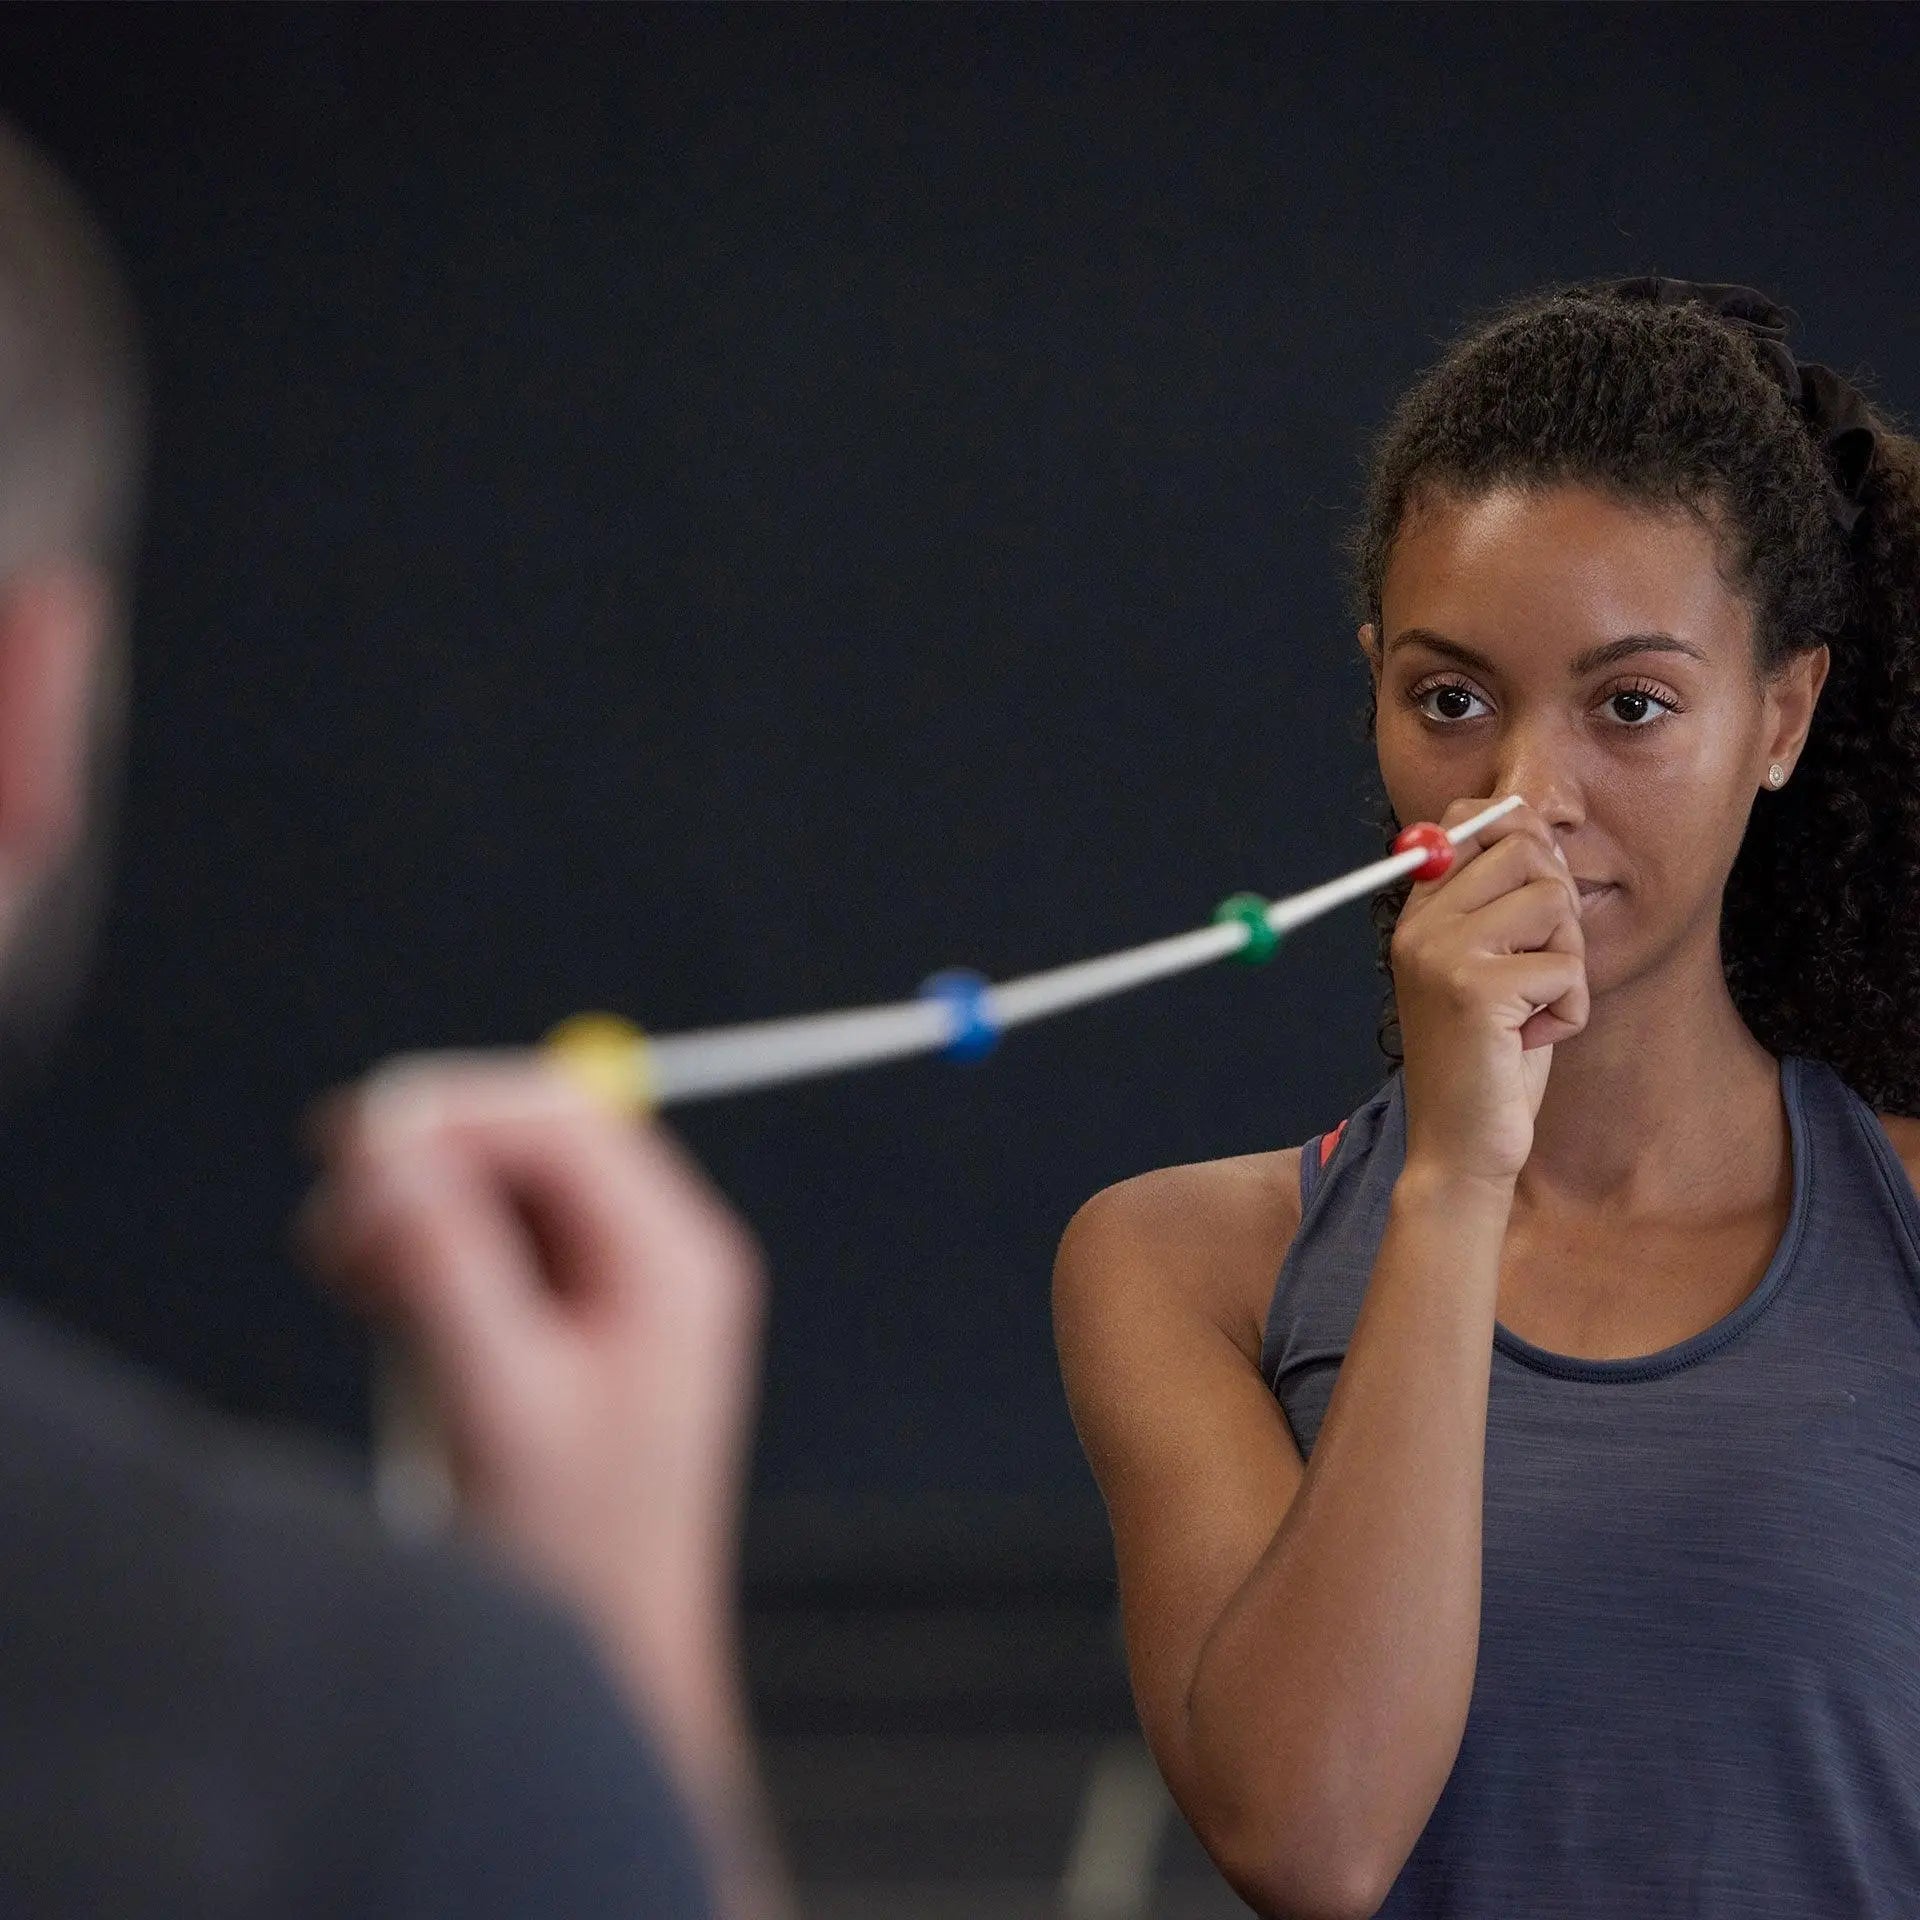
<point>222,1689</point>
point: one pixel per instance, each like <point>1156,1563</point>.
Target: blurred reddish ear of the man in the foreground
<point>53,633</point>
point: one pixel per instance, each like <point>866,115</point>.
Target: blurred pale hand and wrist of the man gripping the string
<point>587,1314</point>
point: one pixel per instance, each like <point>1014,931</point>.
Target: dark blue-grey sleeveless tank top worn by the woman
<point>1698,1689</point>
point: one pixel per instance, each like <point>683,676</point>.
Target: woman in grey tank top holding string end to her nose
<point>1518,1489</point>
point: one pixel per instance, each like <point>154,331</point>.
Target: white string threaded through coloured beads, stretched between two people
<point>698,1067</point>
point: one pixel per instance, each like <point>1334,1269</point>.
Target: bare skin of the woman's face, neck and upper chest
<point>1662,1118</point>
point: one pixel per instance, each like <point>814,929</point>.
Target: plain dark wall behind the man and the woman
<point>719,514</point>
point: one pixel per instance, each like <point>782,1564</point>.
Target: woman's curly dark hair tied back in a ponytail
<point>1673,406</point>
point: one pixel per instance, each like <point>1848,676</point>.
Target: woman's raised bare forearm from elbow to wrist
<point>1330,1698</point>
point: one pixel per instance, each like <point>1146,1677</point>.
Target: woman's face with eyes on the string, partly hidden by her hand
<point>1587,656</point>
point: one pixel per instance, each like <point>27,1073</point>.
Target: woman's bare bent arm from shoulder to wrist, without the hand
<point>1301,1641</point>
